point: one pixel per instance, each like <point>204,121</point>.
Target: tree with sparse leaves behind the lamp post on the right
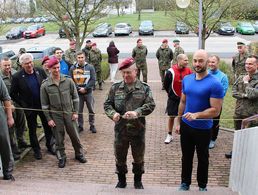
<point>214,12</point>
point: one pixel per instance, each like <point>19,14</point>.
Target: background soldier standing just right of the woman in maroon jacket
<point>139,54</point>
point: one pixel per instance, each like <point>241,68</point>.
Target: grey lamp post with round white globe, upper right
<point>185,4</point>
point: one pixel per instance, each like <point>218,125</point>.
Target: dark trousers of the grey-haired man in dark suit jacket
<point>32,125</point>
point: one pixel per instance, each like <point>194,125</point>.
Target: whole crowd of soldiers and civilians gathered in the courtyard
<point>57,93</point>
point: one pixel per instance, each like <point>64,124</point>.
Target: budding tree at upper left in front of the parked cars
<point>76,15</point>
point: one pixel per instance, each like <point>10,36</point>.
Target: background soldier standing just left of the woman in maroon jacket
<point>95,59</point>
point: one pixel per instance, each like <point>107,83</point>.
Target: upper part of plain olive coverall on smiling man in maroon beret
<point>61,98</point>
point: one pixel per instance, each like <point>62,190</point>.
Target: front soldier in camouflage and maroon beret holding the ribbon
<point>127,104</point>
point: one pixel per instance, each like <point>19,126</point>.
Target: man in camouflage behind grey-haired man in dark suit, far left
<point>19,118</point>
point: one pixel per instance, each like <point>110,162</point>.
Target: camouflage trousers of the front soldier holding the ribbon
<point>124,139</point>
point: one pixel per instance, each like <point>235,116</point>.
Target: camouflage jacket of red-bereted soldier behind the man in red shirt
<point>164,56</point>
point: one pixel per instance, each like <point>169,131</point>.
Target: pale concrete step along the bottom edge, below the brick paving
<point>59,187</point>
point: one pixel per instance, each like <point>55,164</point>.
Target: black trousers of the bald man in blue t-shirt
<point>192,139</point>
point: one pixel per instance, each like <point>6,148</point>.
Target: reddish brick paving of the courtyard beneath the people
<point>162,162</point>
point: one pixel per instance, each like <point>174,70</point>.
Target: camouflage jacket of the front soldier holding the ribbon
<point>120,99</point>
